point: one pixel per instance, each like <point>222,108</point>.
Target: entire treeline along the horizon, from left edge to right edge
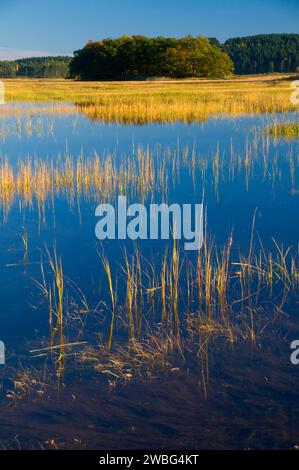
<point>137,57</point>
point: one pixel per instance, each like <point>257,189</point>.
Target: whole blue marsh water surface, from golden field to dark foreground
<point>249,185</point>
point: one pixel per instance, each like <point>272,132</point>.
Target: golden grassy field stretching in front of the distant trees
<point>161,101</point>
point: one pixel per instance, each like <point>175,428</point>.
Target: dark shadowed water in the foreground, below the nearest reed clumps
<point>252,403</point>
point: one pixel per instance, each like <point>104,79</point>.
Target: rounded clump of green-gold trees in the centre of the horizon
<point>137,57</point>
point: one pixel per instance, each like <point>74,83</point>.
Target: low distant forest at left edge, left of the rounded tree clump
<point>38,67</point>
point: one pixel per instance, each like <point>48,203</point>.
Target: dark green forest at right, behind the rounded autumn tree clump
<point>265,53</point>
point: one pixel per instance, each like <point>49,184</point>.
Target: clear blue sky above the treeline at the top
<point>36,27</point>
